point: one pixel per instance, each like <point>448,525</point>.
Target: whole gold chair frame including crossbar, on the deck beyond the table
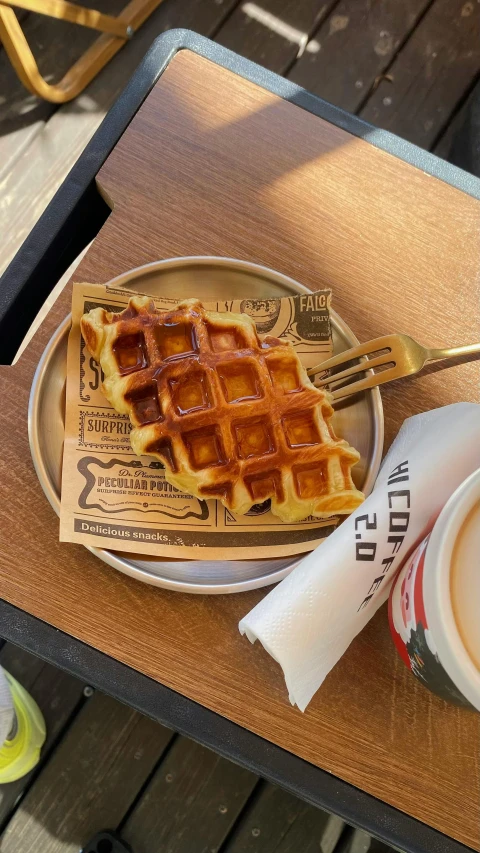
<point>115,32</point>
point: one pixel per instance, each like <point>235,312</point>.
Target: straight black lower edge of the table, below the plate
<point>228,739</point>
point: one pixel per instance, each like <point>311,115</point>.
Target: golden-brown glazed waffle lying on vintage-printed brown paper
<point>229,415</point>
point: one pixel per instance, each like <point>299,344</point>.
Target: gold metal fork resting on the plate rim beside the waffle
<point>394,356</point>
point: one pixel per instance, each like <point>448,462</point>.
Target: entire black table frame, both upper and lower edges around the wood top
<point>72,219</point>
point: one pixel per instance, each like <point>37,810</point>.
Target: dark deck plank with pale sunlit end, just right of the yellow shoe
<point>92,779</point>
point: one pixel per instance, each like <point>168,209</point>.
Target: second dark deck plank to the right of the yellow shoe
<point>191,803</point>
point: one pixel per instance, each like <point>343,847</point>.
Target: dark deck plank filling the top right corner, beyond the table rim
<point>430,75</point>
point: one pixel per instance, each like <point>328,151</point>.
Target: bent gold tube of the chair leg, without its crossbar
<point>84,70</point>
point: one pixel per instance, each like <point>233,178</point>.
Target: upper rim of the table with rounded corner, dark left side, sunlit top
<point>43,258</point>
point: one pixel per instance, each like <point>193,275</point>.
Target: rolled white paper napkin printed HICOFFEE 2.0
<point>308,621</point>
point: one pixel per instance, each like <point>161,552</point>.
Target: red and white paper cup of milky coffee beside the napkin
<point>434,607</point>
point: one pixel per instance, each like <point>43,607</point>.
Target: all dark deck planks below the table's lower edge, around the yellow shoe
<point>114,768</point>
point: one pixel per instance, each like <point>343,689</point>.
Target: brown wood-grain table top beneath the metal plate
<point>213,164</point>
